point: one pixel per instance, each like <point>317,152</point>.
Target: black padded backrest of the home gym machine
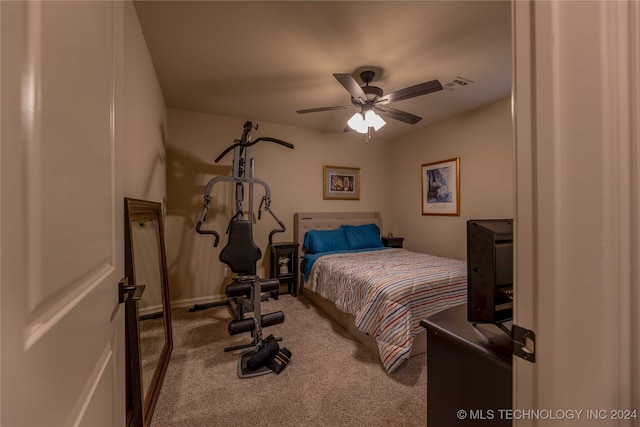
<point>241,254</point>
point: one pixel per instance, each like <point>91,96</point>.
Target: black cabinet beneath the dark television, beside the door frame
<point>469,369</point>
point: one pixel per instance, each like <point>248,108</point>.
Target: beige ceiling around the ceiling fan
<point>263,60</point>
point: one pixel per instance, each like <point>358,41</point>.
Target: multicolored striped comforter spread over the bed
<point>389,292</point>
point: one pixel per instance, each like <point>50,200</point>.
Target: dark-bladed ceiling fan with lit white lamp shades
<point>373,103</point>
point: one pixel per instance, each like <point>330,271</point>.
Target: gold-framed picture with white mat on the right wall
<point>441,188</point>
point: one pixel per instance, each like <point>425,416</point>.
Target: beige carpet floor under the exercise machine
<point>333,379</point>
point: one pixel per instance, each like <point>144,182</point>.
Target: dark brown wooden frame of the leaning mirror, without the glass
<point>139,407</point>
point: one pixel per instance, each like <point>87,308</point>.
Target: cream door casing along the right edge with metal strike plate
<point>576,109</point>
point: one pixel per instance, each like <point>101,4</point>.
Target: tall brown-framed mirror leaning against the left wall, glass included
<point>148,312</point>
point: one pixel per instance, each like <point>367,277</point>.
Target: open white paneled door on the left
<point>61,212</point>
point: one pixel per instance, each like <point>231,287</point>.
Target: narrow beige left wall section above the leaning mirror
<point>145,118</point>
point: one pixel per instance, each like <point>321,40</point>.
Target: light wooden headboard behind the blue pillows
<point>304,222</point>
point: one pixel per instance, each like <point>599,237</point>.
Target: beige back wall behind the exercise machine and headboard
<point>294,177</point>
